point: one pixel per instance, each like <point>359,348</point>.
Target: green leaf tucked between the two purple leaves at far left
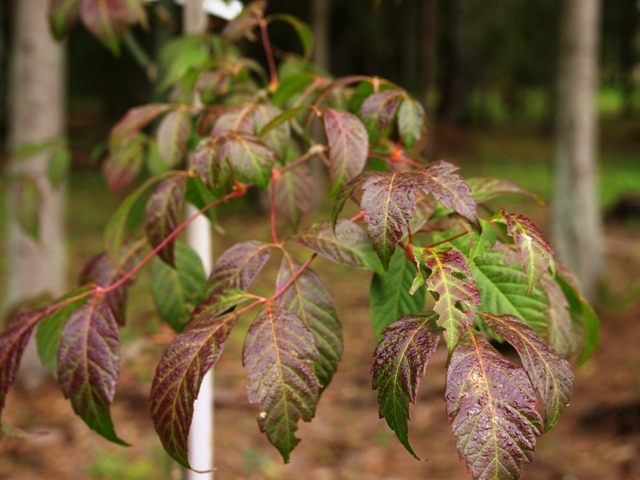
<point>50,331</point>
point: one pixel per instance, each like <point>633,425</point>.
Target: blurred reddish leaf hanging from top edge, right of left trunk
<point>106,19</point>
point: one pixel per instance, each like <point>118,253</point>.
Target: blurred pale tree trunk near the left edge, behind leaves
<point>36,115</point>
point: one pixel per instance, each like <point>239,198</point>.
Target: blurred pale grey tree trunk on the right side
<point>577,222</point>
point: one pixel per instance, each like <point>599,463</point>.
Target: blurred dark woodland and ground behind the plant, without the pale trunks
<point>488,73</point>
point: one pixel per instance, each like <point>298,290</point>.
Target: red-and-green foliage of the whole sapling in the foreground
<point>243,130</point>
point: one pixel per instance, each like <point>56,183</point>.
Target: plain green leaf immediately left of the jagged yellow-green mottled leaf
<point>389,293</point>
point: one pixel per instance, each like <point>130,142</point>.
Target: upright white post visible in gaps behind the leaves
<point>199,238</point>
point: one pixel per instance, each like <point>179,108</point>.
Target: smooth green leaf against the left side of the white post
<point>176,291</point>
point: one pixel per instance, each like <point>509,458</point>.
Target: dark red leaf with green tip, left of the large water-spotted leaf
<point>400,362</point>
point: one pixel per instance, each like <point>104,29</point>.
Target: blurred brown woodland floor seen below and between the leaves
<point>597,438</point>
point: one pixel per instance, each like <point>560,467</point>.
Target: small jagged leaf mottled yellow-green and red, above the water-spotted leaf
<point>452,280</point>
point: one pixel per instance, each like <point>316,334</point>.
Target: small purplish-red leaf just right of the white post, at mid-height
<point>238,266</point>
